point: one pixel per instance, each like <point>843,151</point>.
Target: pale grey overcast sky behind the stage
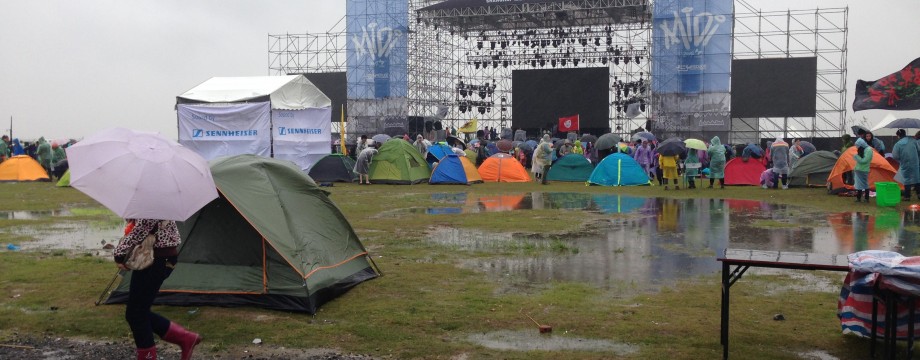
<point>71,68</point>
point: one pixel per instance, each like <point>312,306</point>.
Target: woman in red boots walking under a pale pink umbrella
<point>152,182</point>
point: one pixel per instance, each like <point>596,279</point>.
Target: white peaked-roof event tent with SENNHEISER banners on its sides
<point>285,117</point>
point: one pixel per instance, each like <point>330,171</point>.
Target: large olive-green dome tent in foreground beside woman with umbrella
<point>272,239</point>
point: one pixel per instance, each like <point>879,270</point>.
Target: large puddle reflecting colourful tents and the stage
<point>671,238</point>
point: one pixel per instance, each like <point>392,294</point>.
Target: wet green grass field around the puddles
<point>426,306</point>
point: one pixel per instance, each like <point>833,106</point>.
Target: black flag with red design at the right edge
<point>898,91</point>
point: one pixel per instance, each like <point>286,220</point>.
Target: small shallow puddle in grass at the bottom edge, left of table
<point>532,340</point>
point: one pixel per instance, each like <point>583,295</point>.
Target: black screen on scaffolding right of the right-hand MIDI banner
<point>774,87</point>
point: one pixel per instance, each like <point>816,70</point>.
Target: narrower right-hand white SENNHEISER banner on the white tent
<point>302,136</point>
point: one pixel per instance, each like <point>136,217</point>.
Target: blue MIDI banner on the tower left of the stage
<point>377,56</point>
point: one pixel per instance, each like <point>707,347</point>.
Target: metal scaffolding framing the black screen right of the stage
<point>820,33</point>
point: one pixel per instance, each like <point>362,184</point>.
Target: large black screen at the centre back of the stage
<point>541,97</point>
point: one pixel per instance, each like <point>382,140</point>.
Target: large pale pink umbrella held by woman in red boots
<point>141,175</point>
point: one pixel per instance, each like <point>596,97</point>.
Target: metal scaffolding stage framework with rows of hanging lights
<point>461,58</point>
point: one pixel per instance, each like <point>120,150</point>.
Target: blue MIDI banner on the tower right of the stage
<point>691,51</point>
